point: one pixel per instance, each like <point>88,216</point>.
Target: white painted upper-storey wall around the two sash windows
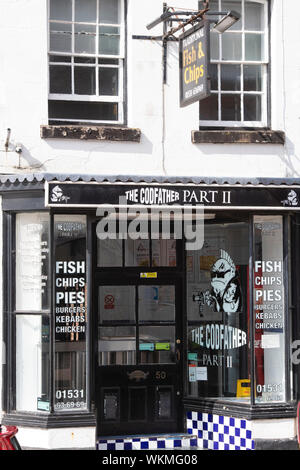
<point>166,146</point>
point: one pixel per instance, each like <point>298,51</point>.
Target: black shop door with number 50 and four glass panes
<point>139,376</point>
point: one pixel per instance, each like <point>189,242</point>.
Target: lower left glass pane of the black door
<point>116,345</point>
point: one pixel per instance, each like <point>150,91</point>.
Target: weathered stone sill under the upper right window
<point>238,137</point>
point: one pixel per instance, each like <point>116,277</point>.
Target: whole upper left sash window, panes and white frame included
<point>86,61</point>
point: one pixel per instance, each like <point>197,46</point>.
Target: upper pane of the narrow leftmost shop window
<point>32,262</point>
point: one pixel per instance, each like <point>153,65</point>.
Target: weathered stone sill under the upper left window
<point>101,133</point>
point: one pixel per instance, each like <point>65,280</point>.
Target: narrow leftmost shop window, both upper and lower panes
<point>31,312</point>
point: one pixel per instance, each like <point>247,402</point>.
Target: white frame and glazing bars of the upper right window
<point>264,63</point>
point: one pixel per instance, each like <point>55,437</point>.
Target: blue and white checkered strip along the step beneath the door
<point>150,443</point>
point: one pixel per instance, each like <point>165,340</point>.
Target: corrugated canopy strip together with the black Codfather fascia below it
<point>93,190</point>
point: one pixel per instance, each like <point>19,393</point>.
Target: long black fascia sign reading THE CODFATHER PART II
<point>211,196</point>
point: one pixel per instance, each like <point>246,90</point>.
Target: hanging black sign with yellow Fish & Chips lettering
<point>194,59</point>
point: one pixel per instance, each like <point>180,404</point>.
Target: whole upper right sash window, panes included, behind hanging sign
<point>239,67</point>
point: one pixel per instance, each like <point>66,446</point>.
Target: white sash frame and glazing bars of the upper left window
<point>118,99</point>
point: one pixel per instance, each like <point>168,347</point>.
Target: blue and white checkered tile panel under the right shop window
<point>220,432</point>
